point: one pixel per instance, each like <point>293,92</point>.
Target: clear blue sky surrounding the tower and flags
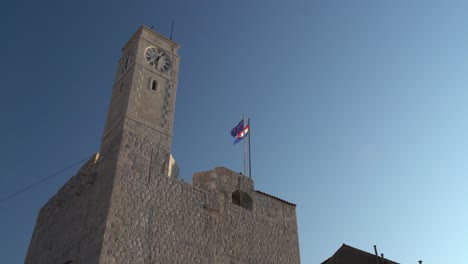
<point>359,110</point>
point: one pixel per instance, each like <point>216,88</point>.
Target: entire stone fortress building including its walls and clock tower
<point>122,206</point>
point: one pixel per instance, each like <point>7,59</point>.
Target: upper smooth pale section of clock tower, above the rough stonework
<point>144,89</point>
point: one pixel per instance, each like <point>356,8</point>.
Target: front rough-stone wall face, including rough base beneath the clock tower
<point>157,219</point>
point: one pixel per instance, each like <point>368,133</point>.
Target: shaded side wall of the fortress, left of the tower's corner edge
<point>72,223</point>
